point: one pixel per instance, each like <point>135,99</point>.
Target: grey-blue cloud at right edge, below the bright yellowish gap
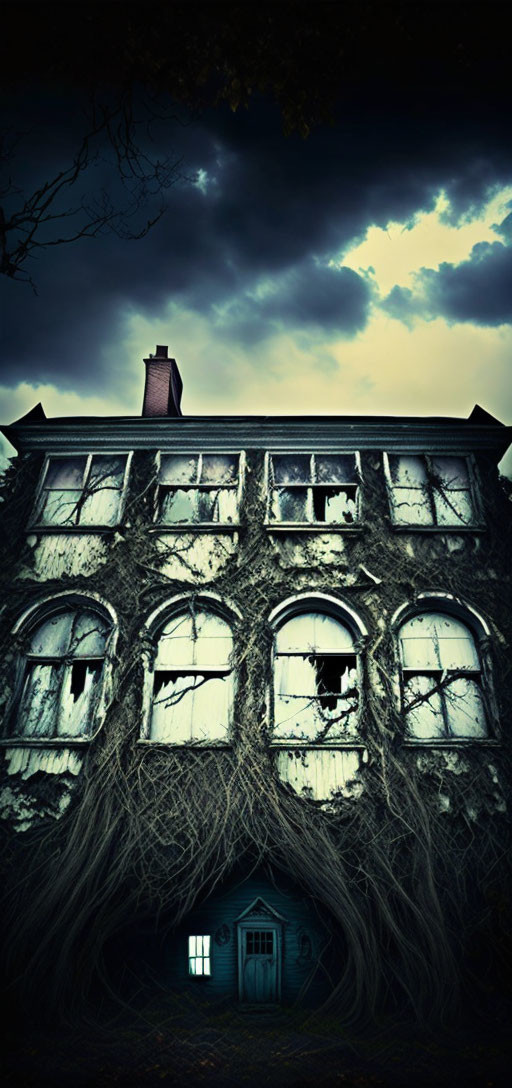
<point>479,290</point>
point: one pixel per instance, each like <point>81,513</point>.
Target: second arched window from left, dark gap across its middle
<point>193,687</point>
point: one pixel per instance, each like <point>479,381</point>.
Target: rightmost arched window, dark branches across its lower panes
<point>442,678</point>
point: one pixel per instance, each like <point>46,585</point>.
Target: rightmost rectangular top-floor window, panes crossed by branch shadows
<point>429,491</point>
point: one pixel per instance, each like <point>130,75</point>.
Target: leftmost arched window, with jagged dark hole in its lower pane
<point>61,675</point>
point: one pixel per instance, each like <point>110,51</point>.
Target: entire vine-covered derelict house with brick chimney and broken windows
<point>257,700</point>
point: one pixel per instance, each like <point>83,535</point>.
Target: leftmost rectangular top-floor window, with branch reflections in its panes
<point>82,491</point>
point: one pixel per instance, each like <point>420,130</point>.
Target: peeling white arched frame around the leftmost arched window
<point>27,624</point>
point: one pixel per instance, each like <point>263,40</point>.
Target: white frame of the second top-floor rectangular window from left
<point>202,526</point>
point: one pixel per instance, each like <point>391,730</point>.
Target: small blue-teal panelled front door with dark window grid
<point>259,950</point>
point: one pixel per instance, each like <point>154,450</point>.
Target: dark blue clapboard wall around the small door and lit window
<point>218,918</point>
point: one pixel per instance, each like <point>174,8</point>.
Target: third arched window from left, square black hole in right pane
<point>316,681</point>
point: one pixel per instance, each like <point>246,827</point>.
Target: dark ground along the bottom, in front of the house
<point>197,1044</point>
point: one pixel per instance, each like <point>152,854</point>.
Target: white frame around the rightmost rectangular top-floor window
<point>474,491</point>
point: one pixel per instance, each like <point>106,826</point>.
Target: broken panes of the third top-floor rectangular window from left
<point>315,489</point>
